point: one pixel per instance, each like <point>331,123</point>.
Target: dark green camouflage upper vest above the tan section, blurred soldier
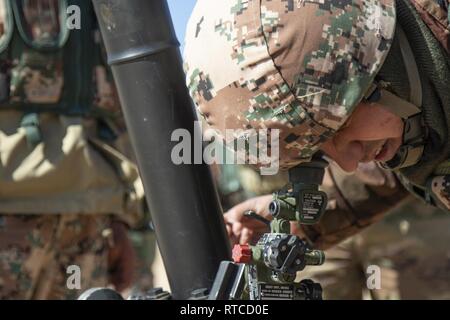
<point>49,63</point>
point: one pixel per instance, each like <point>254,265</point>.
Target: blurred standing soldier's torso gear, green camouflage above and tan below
<point>62,137</point>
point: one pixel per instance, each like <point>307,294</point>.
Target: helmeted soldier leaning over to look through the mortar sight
<point>336,77</point>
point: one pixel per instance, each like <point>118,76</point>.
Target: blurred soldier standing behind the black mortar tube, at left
<point>67,192</point>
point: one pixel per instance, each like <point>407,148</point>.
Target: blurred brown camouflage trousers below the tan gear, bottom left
<point>35,252</point>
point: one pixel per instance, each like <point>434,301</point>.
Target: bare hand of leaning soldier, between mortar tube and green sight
<point>243,230</point>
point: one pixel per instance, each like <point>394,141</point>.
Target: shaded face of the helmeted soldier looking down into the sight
<point>371,134</point>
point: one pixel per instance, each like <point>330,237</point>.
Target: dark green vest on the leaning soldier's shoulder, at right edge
<point>427,30</point>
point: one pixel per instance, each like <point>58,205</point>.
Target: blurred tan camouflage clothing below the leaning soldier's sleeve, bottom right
<point>410,246</point>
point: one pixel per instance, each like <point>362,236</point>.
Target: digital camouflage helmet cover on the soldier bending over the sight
<point>295,65</point>
